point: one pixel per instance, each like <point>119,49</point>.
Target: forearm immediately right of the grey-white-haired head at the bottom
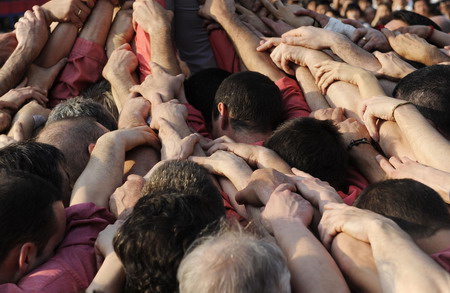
<point>306,256</point>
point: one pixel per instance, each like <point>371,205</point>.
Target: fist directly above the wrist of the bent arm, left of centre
<point>135,113</point>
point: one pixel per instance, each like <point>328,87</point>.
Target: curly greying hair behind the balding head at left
<point>81,107</point>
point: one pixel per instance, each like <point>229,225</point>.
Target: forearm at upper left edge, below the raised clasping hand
<point>15,67</point>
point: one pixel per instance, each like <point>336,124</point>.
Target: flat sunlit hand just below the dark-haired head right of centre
<point>316,191</point>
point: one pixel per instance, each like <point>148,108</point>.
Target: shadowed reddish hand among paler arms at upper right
<point>371,39</point>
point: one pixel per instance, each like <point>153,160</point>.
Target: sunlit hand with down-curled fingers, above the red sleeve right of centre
<point>283,54</point>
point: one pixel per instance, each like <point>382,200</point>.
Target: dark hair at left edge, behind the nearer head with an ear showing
<point>37,158</point>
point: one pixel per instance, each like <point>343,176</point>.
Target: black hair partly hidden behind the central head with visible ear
<point>201,88</point>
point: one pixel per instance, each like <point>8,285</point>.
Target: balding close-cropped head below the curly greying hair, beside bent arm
<point>72,137</point>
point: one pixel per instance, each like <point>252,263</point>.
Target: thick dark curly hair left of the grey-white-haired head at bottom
<point>154,239</point>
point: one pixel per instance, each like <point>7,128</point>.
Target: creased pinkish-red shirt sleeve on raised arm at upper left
<point>84,67</point>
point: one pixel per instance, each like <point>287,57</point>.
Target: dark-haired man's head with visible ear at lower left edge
<point>32,223</point>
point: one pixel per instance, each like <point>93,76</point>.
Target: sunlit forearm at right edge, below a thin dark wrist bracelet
<point>429,146</point>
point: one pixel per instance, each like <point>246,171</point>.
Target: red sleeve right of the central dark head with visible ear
<point>294,103</point>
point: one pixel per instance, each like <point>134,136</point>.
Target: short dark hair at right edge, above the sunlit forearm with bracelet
<point>428,89</point>
